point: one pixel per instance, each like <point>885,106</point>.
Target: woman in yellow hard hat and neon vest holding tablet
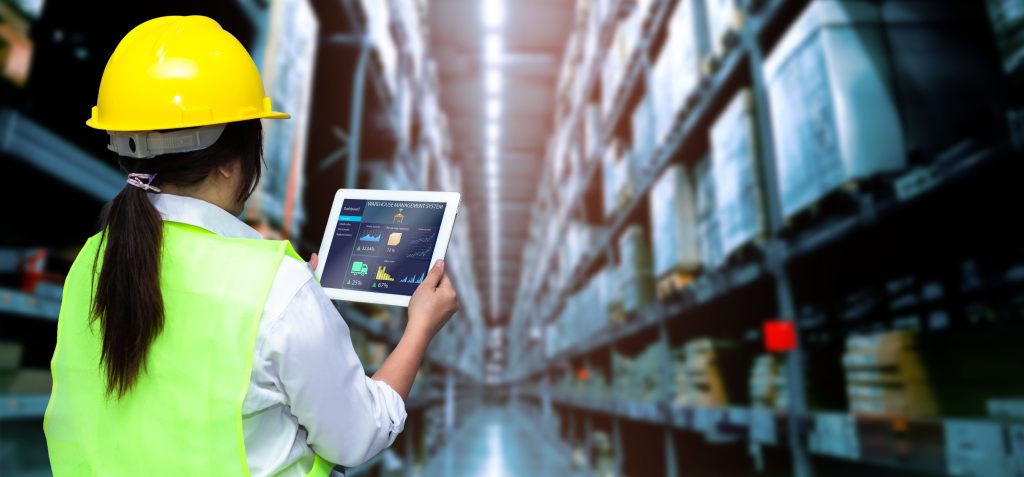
<point>187,345</point>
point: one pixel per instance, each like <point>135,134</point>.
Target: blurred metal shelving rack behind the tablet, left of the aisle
<point>454,357</point>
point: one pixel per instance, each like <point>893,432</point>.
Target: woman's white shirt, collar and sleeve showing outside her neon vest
<point>309,389</point>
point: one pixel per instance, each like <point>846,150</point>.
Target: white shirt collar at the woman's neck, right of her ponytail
<point>201,214</point>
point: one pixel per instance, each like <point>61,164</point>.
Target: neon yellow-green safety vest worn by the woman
<point>184,415</point>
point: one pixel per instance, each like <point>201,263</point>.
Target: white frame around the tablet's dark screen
<point>451,201</point>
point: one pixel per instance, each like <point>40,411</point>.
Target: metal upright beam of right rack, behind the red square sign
<point>776,251</point>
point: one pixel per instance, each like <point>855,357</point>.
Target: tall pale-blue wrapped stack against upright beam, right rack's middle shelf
<point>736,171</point>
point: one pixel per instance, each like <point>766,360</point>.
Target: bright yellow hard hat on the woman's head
<point>180,72</point>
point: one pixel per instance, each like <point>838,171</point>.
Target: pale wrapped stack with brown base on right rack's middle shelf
<point>674,230</point>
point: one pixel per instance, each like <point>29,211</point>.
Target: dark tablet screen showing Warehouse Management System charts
<point>382,246</point>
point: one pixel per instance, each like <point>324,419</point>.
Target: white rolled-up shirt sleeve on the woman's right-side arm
<point>349,416</point>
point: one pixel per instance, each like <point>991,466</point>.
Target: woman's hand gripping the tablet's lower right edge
<point>434,303</point>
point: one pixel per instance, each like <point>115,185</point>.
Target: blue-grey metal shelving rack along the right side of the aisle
<point>536,306</point>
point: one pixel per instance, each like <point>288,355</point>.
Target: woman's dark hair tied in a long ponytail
<point>129,302</point>
